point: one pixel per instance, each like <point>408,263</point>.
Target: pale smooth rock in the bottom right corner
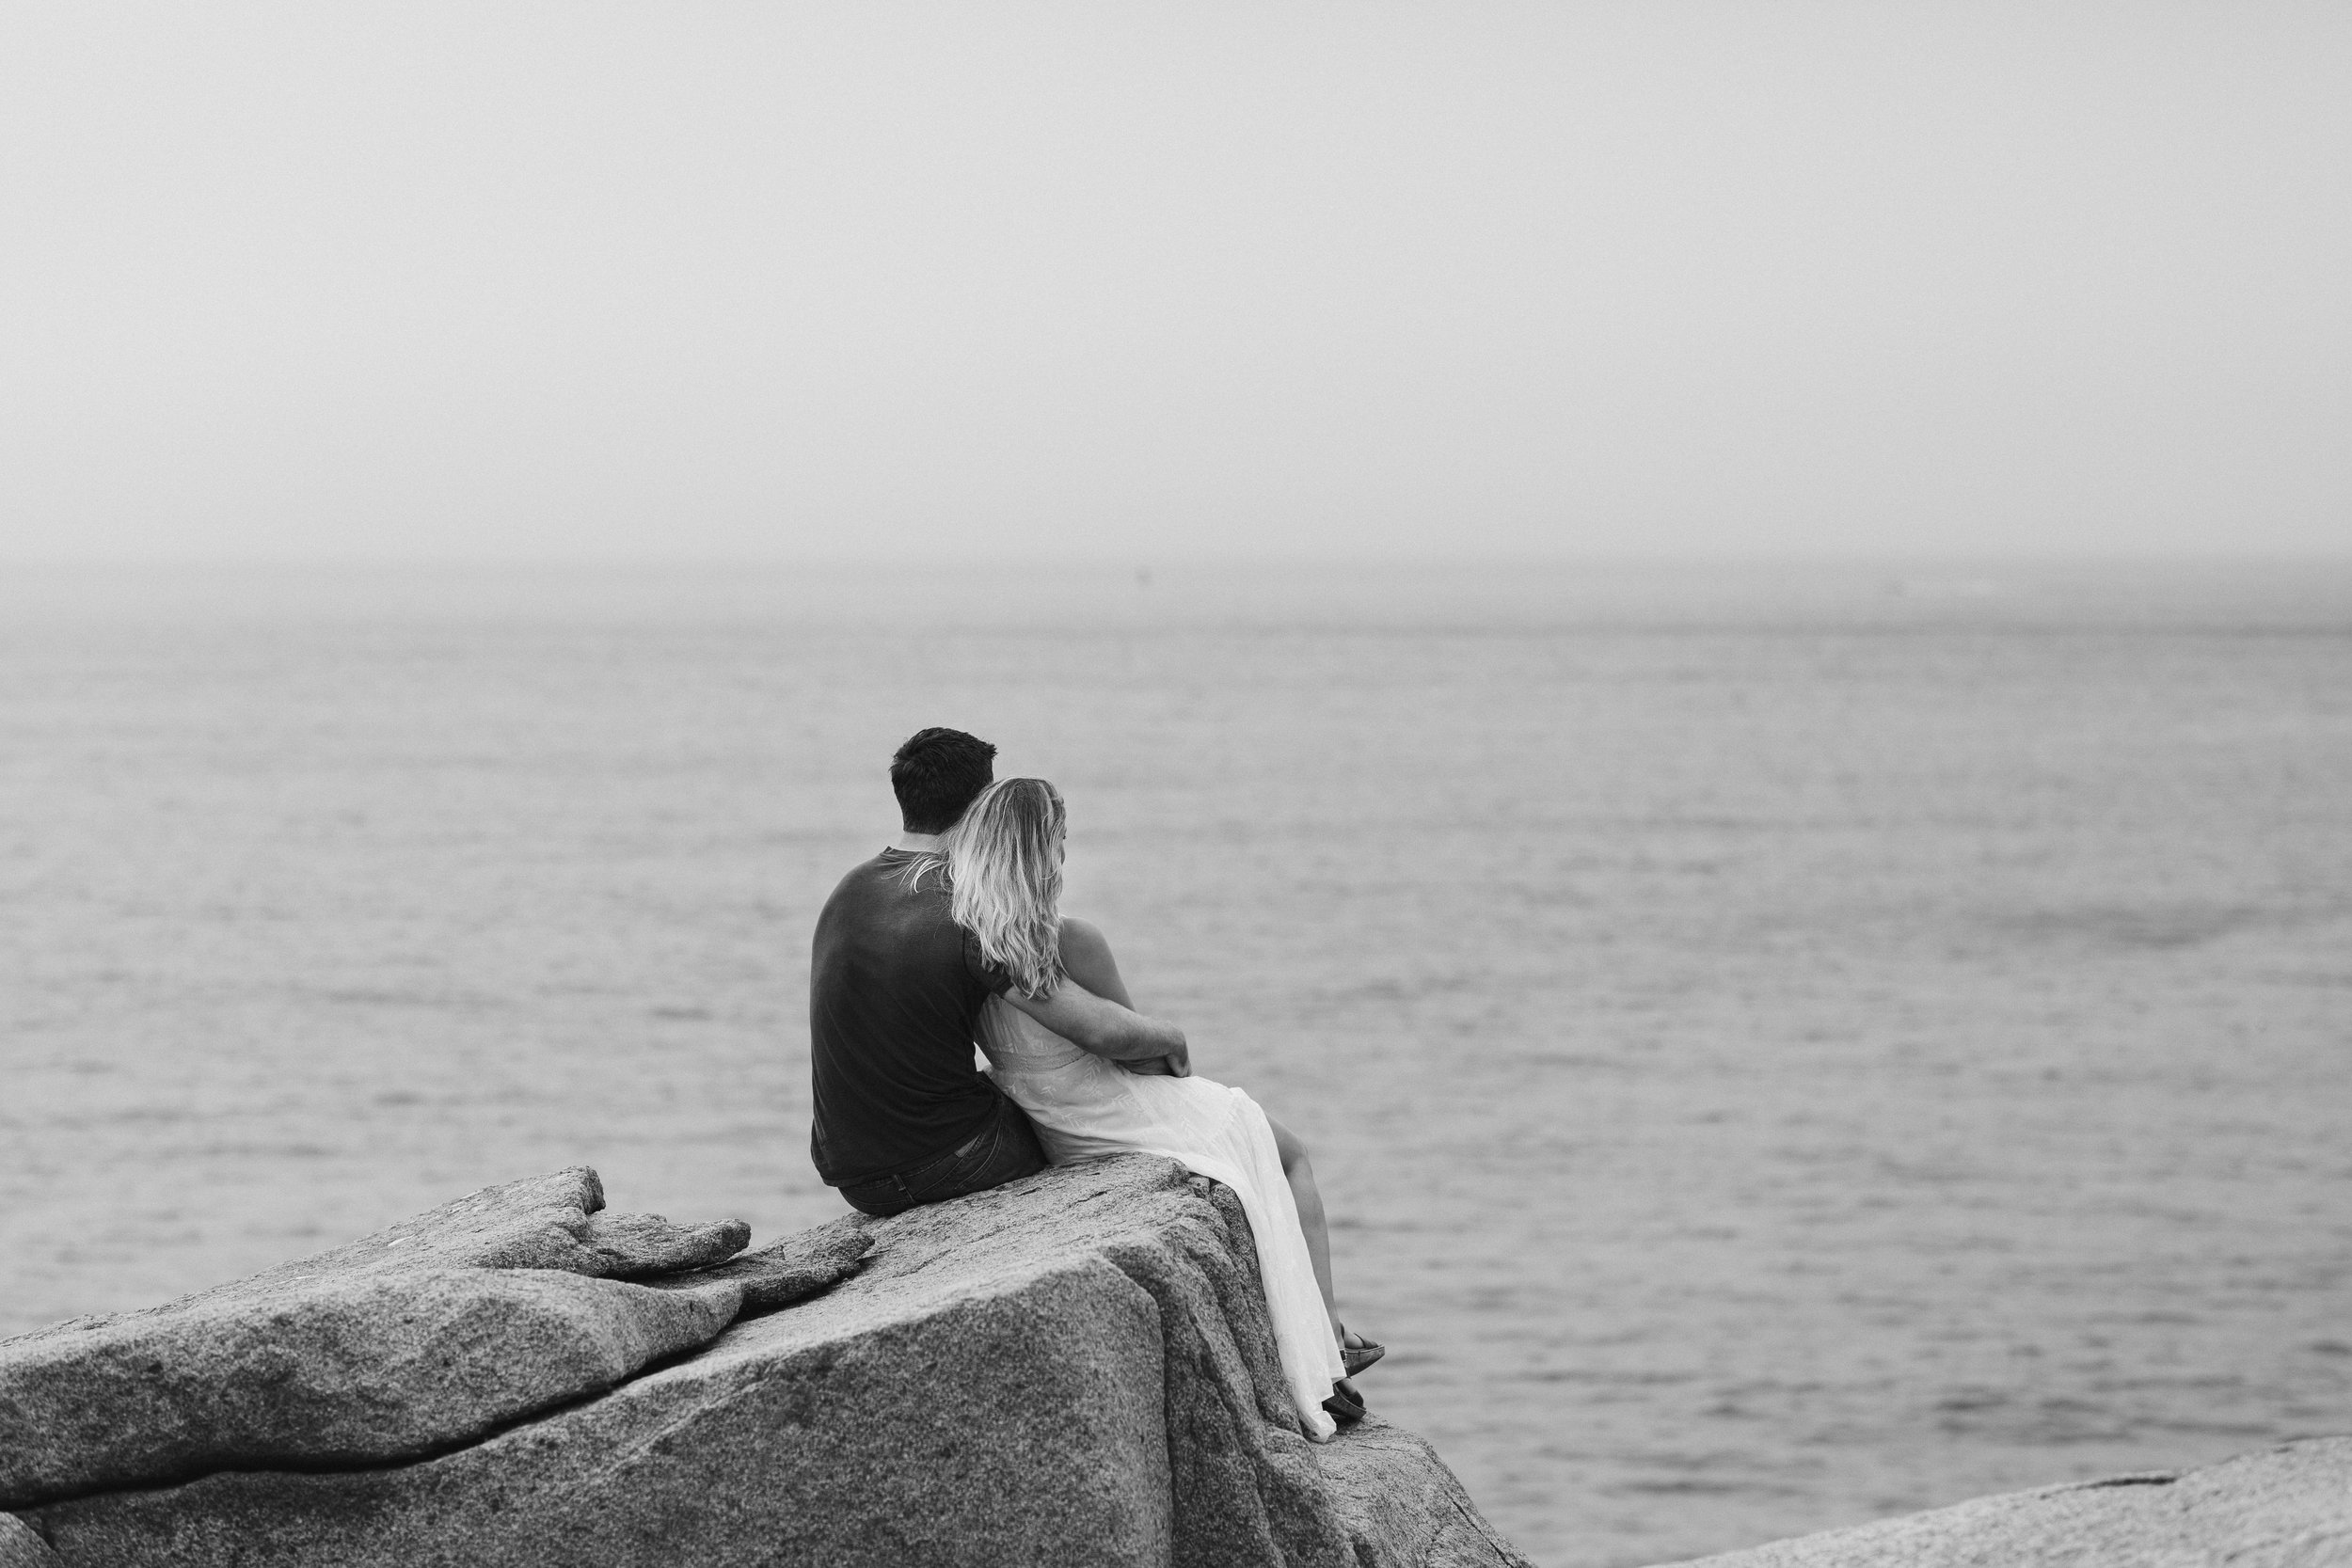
<point>2285,1508</point>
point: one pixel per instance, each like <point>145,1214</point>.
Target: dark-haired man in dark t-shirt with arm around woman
<point>895,998</point>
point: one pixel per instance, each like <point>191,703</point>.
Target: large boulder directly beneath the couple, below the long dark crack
<point>1071,1369</point>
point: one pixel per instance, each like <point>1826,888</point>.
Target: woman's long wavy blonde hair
<point>1005,880</point>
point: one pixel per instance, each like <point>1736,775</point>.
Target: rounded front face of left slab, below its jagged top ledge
<point>328,1372</point>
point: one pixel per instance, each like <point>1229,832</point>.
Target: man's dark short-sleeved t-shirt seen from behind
<point>895,993</point>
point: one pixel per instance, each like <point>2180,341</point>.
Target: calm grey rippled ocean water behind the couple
<point>1782,1045</point>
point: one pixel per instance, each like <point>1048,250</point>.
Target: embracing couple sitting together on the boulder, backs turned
<point>951,939</point>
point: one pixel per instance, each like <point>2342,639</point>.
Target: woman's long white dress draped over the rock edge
<point>1088,1108</point>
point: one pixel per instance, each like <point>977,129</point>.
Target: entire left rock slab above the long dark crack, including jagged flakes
<point>425,1336</point>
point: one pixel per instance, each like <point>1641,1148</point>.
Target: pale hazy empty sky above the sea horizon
<point>1147,281</point>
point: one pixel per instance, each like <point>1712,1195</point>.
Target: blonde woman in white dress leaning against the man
<point>1005,871</point>
